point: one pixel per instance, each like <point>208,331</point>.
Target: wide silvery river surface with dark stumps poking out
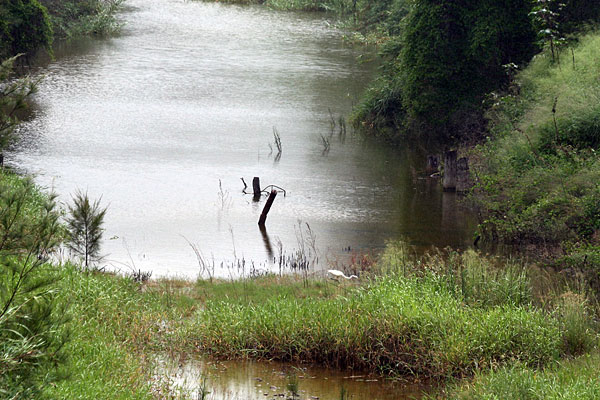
<point>163,122</point>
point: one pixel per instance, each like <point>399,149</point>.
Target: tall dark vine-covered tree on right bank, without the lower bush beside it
<point>452,55</point>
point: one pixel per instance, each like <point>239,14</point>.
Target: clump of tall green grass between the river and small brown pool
<point>438,318</point>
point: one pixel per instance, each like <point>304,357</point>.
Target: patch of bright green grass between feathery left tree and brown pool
<point>112,329</point>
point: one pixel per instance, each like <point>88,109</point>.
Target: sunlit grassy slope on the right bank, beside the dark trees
<point>536,182</point>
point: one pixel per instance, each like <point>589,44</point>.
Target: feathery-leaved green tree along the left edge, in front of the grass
<point>32,333</point>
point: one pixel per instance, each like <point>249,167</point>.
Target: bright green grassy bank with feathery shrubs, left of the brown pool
<point>64,333</point>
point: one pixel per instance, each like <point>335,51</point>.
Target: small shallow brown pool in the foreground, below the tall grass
<point>251,380</point>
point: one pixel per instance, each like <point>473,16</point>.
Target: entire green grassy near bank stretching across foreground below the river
<point>442,316</point>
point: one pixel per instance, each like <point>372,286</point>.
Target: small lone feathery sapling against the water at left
<point>85,227</point>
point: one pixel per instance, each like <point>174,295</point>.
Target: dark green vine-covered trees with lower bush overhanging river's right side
<point>445,57</point>
